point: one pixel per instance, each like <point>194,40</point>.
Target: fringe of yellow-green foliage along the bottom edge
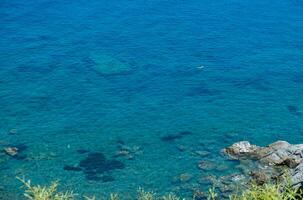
<point>268,191</point>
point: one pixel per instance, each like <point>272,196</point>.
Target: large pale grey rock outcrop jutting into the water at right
<point>273,160</point>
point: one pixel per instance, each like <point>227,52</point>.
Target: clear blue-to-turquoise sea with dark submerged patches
<point>194,75</point>
